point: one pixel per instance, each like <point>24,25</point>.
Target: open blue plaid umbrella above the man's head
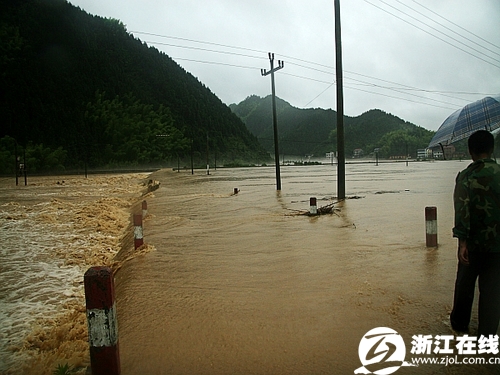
<point>482,114</point>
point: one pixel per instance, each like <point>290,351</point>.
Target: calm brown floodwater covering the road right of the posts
<point>240,284</point>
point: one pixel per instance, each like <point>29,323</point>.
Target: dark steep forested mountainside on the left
<point>79,89</point>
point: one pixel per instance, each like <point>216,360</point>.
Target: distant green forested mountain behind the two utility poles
<point>313,131</point>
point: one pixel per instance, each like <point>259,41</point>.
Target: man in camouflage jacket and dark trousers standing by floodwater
<point>477,227</point>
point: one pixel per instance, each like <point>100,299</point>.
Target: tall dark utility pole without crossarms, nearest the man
<point>340,106</point>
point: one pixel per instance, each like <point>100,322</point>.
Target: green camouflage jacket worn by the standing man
<point>477,206</point>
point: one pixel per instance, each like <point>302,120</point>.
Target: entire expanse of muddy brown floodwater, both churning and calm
<point>239,283</point>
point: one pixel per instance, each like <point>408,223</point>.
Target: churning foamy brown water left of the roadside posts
<point>52,231</point>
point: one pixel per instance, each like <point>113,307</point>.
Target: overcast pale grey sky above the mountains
<point>417,59</point>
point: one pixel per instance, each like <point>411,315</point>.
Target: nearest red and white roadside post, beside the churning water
<point>101,320</point>
